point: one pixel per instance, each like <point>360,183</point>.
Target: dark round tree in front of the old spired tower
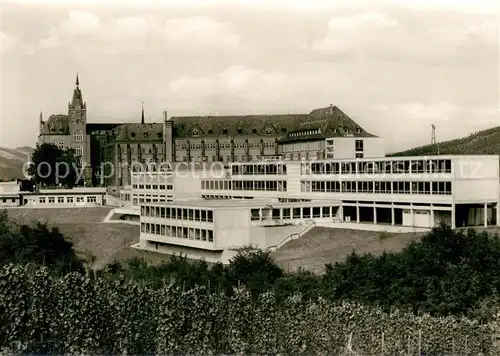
<point>52,166</point>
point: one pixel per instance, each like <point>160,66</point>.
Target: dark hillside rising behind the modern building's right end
<point>482,142</point>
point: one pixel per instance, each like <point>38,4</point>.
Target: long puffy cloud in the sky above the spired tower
<point>83,29</point>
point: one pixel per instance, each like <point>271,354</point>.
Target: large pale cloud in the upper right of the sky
<point>374,36</point>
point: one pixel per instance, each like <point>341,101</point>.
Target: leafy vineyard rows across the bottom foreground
<point>81,314</point>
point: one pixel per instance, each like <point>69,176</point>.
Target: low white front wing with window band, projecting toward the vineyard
<point>223,225</point>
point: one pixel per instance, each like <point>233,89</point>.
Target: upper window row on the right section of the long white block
<point>389,167</point>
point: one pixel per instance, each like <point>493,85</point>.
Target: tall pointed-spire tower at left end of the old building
<point>77,113</point>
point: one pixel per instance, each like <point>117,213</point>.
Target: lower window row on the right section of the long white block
<point>384,187</point>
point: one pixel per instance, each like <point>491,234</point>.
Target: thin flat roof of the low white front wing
<point>242,203</point>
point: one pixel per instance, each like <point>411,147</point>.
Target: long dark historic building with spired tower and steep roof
<point>323,133</point>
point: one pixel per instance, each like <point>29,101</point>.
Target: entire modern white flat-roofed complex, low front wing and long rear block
<point>238,207</point>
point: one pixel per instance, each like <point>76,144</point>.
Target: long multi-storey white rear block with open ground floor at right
<point>406,191</point>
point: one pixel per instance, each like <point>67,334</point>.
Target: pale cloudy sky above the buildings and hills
<point>395,67</point>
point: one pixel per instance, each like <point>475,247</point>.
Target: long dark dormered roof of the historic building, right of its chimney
<point>330,121</point>
